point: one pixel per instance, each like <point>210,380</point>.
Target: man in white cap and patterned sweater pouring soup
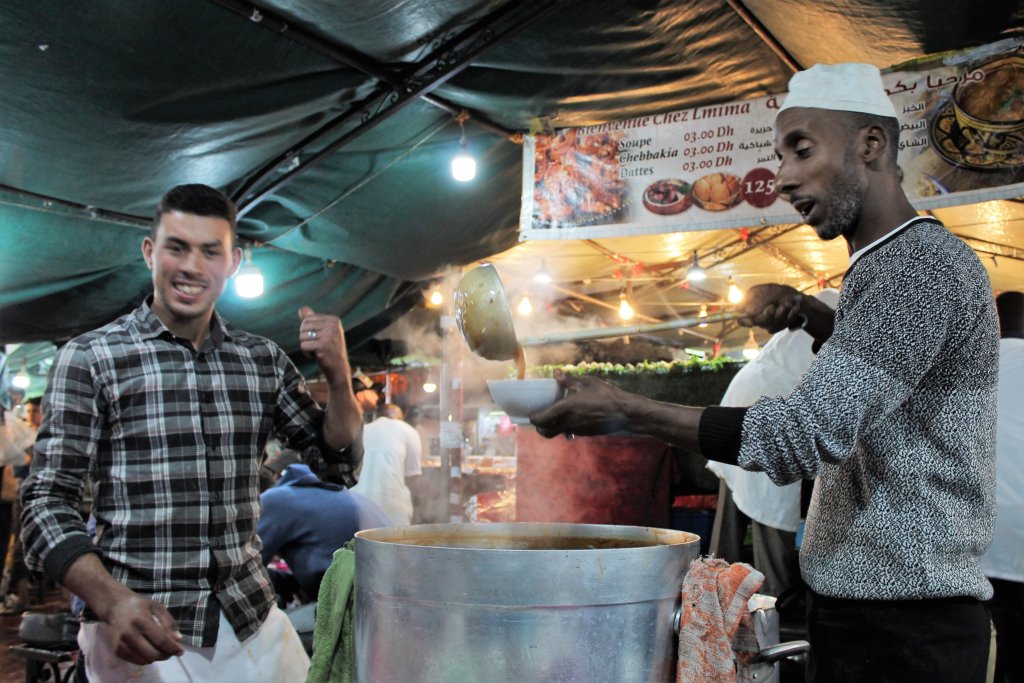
<point>895,417</point>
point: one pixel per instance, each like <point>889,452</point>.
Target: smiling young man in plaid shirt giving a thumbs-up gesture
<point>168,410</point>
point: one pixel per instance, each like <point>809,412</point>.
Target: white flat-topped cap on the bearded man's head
<point>844,88</point>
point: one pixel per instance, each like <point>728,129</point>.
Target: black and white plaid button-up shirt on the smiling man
<point>173,440</point>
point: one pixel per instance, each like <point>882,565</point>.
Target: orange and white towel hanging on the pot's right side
<point>715,595</point>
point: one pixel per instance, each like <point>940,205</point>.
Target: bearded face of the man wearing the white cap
<point>821,174</point>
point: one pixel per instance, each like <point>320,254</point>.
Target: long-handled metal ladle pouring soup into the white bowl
<point>483,313</point>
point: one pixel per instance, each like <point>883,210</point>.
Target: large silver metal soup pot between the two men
<point>519,603</point>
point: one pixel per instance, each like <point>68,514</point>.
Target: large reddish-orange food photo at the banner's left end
<point>577,179</point>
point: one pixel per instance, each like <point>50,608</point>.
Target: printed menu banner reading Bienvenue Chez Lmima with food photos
<point>962,141</point>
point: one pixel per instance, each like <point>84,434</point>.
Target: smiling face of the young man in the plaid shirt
<point>192,258</point>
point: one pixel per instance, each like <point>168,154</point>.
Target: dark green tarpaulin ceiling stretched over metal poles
<point>332,124</point>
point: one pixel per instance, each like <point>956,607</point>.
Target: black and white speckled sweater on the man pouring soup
<point>897,419</point>
